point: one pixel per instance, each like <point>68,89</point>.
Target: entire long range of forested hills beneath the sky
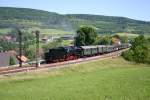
<point>28,18</point>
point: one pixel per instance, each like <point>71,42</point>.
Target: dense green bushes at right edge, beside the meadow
<point>140,50</point>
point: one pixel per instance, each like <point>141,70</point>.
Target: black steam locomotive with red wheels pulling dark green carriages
<point>61,54</point>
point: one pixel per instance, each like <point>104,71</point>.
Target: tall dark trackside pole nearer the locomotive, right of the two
<point>37,33</point>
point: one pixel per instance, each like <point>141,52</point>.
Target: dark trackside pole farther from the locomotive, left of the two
<point>20,47</point>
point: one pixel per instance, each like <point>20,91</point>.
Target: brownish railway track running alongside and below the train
<point>15,70</point>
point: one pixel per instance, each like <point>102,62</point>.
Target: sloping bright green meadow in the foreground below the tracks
<point>114,79</point>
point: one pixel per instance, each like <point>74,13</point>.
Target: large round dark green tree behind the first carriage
<point>85,36</point>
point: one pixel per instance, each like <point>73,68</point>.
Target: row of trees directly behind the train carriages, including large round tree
<point>87,35</point>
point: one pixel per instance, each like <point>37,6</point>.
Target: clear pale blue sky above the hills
<point>135,9</point>
